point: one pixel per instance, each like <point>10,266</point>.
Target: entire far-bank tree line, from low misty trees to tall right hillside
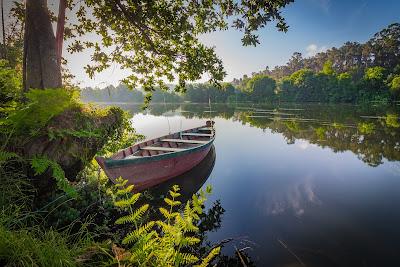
<point>352,73</point>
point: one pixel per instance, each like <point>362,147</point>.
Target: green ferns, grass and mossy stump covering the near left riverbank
<point>58,228</point>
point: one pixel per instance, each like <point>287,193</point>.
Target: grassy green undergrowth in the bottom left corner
<point>23,239</point>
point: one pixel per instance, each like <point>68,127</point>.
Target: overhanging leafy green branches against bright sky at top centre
<point>163,38</point>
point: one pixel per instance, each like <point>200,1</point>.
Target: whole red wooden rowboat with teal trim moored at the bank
<point>153,161</point>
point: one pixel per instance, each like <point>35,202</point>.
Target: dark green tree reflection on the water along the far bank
<point>372,134</point>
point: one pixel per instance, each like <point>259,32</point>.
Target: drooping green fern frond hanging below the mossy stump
<point>40,166</point>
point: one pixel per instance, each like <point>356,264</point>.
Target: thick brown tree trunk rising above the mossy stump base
<point>40,69</point>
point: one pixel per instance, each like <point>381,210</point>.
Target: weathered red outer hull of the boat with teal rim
<point>150,171</point>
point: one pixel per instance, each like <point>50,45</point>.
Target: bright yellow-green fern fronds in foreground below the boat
<point>162,242</point>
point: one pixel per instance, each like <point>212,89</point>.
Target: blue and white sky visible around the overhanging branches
<point>315,25</point>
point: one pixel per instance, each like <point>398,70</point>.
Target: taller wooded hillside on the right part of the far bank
<point>353,73</point>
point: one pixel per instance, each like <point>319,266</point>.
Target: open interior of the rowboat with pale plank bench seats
<point>175,142</point>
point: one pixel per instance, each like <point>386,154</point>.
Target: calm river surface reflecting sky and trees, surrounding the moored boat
<point>298,185</point>
